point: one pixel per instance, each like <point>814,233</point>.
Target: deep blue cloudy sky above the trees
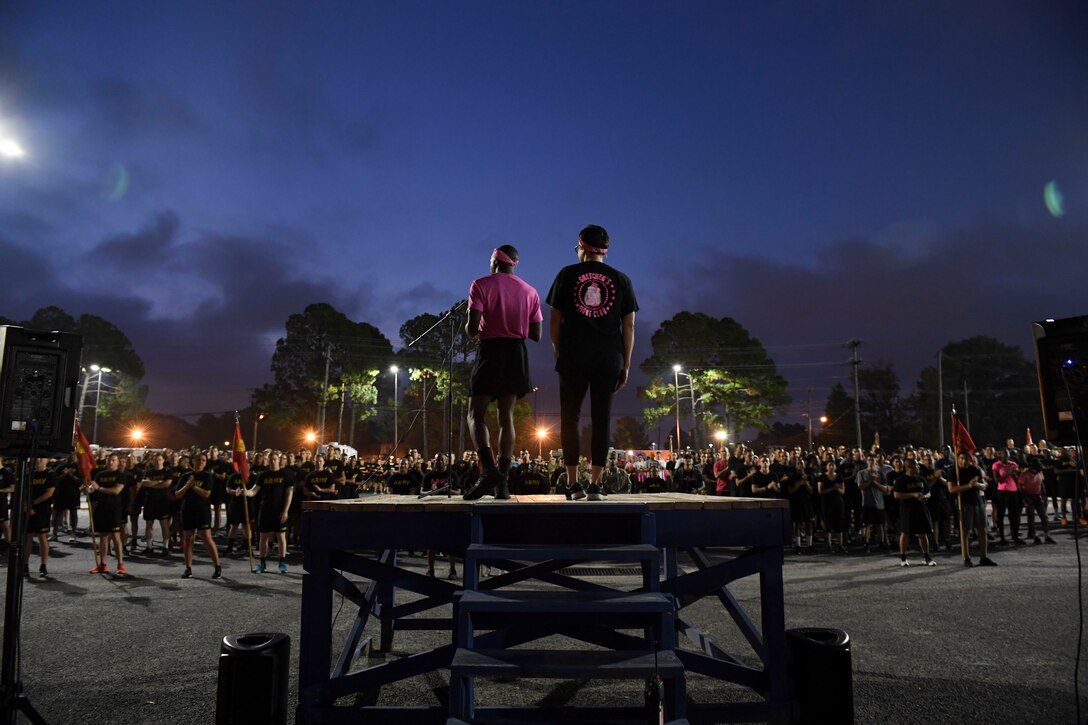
<point>908,174</point>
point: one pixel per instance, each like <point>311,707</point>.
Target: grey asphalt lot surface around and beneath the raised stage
<point>942,645</point>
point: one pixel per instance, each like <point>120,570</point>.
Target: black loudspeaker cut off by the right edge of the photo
<point>1061,354</point>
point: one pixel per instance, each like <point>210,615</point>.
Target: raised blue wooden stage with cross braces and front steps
<point>531,540</point>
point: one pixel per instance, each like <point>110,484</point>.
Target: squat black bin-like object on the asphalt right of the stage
<point>823,675</point>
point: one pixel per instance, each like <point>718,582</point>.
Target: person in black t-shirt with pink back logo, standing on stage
<point>592,331</point>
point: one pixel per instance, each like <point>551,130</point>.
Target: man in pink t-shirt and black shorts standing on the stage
<point>504,311</point>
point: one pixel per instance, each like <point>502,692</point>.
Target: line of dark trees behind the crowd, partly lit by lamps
<point>336,377</point>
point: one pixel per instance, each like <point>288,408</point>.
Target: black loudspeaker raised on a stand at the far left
<point>40,373</point>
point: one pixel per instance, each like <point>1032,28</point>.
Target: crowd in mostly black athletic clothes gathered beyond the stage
<point>165,502</point>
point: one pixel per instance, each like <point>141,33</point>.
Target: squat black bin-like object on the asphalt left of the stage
<point>253,680</point>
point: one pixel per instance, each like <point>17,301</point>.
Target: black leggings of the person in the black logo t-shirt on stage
<point>573,387</point>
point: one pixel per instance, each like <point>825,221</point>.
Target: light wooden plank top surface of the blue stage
<point>456,505</point>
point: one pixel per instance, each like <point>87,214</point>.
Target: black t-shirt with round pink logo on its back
<point>594,299</point>
